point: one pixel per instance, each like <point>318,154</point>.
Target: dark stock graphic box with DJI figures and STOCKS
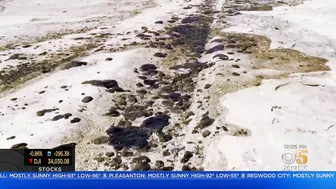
<point>37,160</point>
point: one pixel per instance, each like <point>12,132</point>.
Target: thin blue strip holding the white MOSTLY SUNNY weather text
<point>170,175</point>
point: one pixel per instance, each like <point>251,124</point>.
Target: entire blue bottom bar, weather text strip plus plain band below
<point>168,180</point>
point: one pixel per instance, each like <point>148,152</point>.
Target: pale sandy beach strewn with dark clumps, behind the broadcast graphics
<point>170,84</point>
